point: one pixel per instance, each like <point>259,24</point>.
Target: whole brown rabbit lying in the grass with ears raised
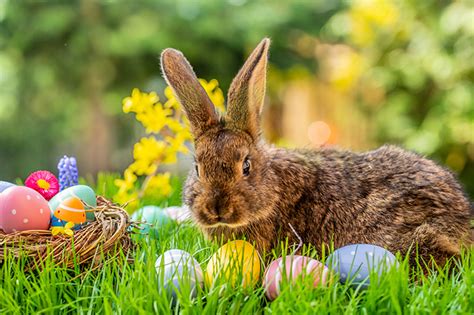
<point>242,186</point>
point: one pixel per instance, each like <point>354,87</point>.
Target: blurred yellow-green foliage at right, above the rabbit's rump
<point>419,62</point>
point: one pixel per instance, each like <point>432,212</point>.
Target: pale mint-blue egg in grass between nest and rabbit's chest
<point>153,217</point>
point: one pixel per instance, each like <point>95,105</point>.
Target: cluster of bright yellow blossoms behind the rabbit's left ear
<point>170,129</point>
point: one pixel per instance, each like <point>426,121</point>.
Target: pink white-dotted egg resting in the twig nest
<point>22,208</point>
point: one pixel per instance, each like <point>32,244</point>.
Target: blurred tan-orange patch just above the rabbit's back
<point>308,100</point>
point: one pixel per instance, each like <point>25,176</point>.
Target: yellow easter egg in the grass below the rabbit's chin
<point>236,262</point>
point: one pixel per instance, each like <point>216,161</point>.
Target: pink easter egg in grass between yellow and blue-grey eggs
<point>291,268</point>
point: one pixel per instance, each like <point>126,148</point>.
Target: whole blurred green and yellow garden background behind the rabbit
<point>355,74</point>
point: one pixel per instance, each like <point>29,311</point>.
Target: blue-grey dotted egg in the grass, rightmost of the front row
<point>354,263</point>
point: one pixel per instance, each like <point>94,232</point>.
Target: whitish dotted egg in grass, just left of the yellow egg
<point>178,271</point>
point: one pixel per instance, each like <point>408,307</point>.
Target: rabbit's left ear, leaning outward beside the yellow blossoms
<point>186,87</point>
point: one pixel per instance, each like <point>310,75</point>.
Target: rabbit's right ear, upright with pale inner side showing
<point>247,92</point>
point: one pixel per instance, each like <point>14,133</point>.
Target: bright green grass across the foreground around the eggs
<point>133,288</point>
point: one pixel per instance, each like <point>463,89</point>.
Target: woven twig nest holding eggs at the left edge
<point>99,241</point>
